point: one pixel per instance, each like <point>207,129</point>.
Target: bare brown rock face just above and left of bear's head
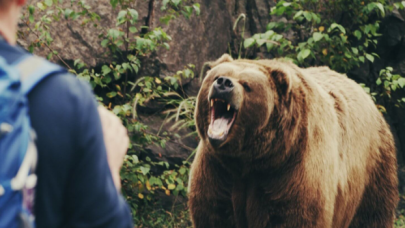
<point>198,39</point>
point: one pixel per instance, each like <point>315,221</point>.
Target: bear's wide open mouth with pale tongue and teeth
<point>223,116</point>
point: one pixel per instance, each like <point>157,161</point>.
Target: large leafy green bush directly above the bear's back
<point>320,40</point>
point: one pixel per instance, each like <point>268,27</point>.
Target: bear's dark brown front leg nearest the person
<point>209,194</point>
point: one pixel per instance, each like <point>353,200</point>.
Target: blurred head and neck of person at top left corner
<point>9,14</point>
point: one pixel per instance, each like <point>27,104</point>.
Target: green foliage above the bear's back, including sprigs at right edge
<point>311,36</point>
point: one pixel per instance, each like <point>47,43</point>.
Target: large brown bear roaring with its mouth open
<point>283,146</point>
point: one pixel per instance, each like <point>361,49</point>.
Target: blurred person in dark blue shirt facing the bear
<point>81,147</point>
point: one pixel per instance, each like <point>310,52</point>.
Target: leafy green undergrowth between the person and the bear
<point>129,43</point>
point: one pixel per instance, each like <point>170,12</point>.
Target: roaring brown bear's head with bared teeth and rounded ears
<point>237,100</point>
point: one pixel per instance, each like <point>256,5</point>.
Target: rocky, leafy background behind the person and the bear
<point>145,60</point>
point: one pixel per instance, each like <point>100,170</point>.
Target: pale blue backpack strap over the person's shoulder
<point>34,69</point>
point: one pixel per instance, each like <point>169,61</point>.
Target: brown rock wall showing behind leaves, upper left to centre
<point>195,40</point>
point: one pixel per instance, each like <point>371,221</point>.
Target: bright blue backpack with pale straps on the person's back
<point>18,154</point>
